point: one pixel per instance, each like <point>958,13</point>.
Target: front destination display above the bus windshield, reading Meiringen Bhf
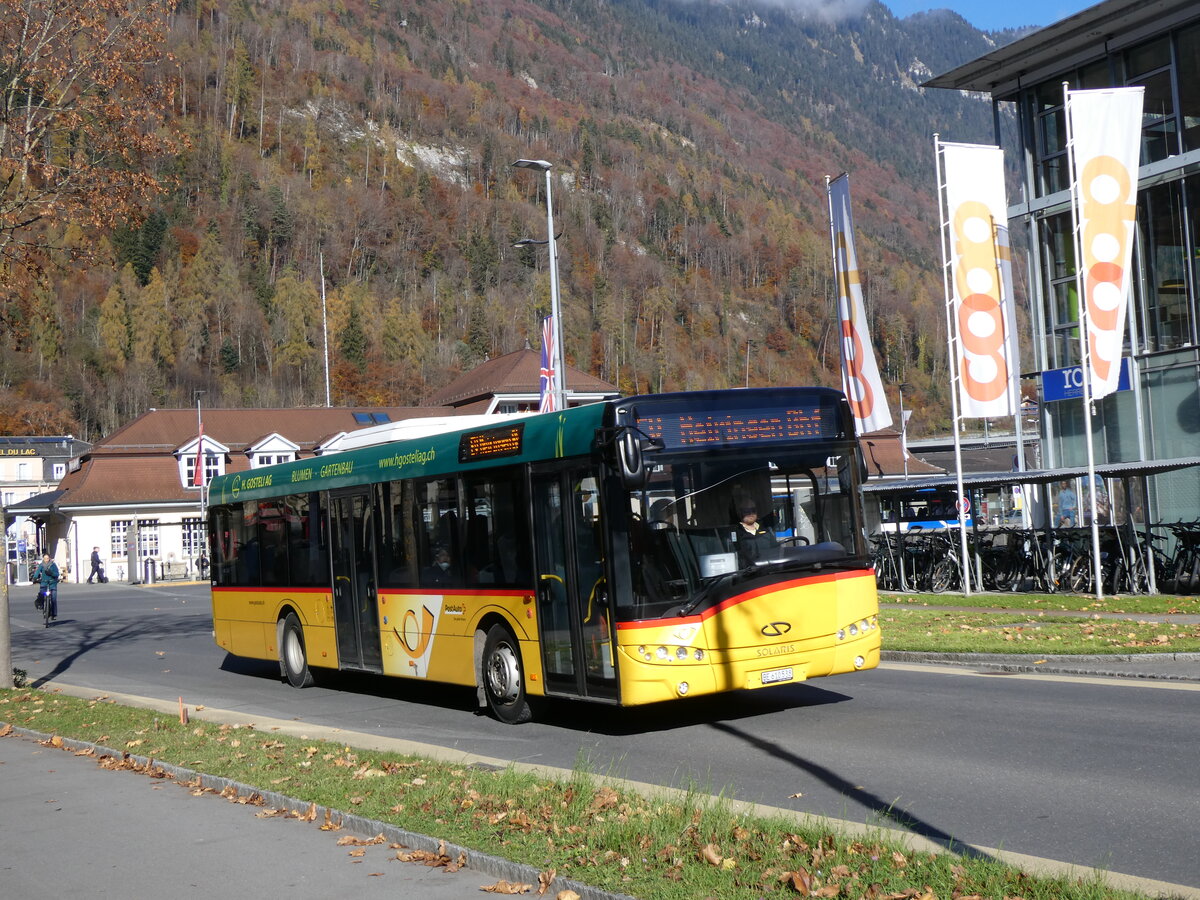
<point>698,429</point>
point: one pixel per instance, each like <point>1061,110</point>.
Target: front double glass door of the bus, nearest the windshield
<point>573,597</point>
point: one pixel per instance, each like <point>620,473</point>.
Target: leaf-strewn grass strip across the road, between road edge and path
<point>956,632</point>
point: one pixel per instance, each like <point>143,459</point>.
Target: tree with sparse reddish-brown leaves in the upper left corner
<point>79,117</point>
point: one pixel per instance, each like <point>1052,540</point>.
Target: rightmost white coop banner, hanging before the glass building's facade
<point>1106,129</point>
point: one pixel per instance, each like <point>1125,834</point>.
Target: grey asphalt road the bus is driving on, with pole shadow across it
<point>1093,772</point>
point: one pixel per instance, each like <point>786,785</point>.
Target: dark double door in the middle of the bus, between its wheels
<point>356,604</point>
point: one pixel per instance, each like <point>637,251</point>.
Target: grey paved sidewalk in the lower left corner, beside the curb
<point>74,829</point>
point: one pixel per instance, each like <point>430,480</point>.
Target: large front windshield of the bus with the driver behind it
<point>692,532</point>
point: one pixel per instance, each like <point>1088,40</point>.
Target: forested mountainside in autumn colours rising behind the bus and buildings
<point>373,141</point>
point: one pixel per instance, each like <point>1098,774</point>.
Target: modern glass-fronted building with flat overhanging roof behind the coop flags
<point>1154,425</point>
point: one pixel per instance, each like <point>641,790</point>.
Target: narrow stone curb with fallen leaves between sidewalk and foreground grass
<point>485,863</point>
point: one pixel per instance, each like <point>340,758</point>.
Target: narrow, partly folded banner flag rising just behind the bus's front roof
<point>860,373</point>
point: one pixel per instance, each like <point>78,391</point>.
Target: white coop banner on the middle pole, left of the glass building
<point>983,322</point>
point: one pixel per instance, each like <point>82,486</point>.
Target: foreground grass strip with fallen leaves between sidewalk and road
<point>679,848</point>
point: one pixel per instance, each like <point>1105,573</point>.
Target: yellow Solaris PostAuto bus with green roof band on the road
<point>597,554</point>
